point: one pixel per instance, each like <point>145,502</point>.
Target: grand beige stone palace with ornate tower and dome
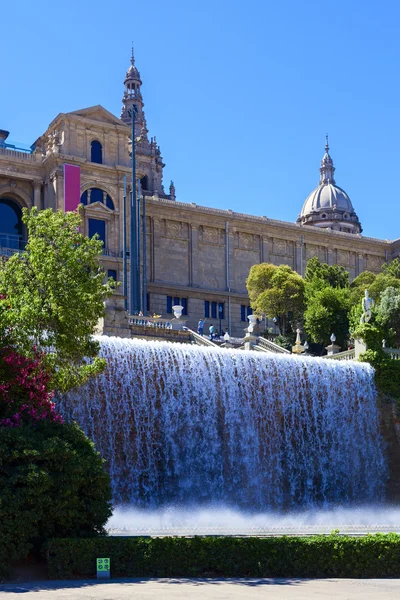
<point>197,256</point>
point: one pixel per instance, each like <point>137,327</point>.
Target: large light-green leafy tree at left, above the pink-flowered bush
<point>52,295</point>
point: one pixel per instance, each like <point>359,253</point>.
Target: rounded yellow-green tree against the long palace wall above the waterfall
<point>277,292</point>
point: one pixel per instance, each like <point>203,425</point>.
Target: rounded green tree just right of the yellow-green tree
<point>326,313</point>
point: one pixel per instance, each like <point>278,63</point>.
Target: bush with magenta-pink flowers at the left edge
<point>24,390</point>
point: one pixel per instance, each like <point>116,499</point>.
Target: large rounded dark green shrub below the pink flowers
<point>52,483</point>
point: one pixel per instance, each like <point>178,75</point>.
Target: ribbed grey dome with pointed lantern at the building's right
<point>329,206</point>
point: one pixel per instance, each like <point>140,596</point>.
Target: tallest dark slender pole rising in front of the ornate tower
<point>134,296</point>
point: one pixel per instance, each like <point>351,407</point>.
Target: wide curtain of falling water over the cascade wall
<point>185,425</point>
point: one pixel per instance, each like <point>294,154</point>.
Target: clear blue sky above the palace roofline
<point>239,94</point>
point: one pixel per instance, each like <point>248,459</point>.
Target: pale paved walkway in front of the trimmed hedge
<point>204,589</point>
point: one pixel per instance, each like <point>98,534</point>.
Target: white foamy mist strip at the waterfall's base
<point>217,520</point>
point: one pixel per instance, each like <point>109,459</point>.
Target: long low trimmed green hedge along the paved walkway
<point>319,556</point>
